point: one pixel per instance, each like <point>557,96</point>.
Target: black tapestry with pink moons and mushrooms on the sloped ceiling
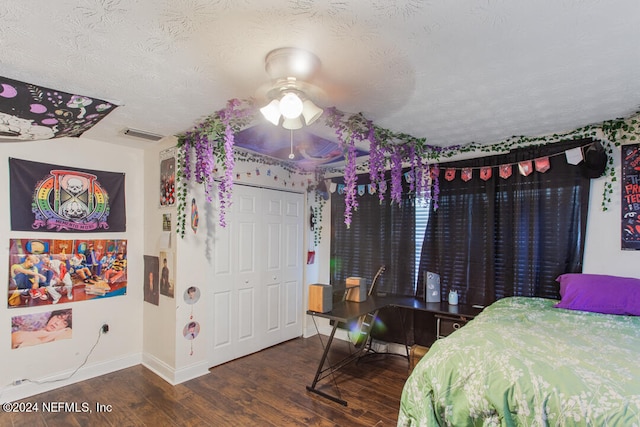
<point>29,112</point>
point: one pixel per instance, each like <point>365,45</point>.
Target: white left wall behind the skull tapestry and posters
<point>122,345</point>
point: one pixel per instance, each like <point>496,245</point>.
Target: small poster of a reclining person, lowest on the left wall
<point>40,328</point>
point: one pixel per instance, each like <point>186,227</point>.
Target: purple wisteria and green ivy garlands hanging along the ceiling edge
<point>211,143</point>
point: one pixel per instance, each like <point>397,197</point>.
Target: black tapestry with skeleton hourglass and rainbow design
<point>55,198</point>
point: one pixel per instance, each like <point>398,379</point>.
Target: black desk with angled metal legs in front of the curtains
<point>348,311</point>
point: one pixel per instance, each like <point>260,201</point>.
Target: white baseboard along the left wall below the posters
<point>34,386</point>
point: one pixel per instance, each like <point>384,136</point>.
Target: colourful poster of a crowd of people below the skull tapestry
<point>47,271</point>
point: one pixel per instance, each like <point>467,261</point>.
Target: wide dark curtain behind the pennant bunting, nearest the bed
<point>505,237</point>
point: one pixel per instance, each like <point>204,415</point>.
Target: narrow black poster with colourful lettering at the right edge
<point>630,197</point>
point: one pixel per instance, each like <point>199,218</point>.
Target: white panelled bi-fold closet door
<point>257,273</point>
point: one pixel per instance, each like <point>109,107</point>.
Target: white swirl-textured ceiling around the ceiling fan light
<point>452,71</point>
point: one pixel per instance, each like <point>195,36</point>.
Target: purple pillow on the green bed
<point>599,293</point>
